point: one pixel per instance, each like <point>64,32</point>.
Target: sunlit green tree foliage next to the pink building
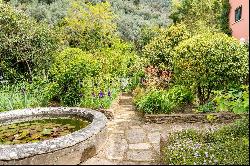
<point>202,15</point>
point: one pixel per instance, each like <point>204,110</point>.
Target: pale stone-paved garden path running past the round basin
<point>131,141</point>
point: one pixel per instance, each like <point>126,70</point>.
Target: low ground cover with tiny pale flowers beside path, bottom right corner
<point>221,147</point>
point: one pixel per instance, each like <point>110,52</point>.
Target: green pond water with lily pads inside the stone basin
<point>39,130</point>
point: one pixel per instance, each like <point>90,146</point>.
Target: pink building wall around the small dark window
<point>240,29</point>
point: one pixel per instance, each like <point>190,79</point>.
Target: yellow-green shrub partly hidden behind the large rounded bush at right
<point>159,49</point>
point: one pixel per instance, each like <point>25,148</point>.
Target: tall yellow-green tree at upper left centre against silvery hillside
<point>81,34</point>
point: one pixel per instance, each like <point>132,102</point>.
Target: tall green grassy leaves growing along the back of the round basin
<point>30,95</point>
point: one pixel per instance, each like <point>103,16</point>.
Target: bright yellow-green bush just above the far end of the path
<point>121,62</point>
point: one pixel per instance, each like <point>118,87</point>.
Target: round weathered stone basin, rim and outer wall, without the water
<point>70,149</point>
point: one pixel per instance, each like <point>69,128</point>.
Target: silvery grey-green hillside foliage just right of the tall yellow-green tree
<point>137,14</point>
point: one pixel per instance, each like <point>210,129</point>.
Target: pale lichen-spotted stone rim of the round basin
<point>20,151</point>
